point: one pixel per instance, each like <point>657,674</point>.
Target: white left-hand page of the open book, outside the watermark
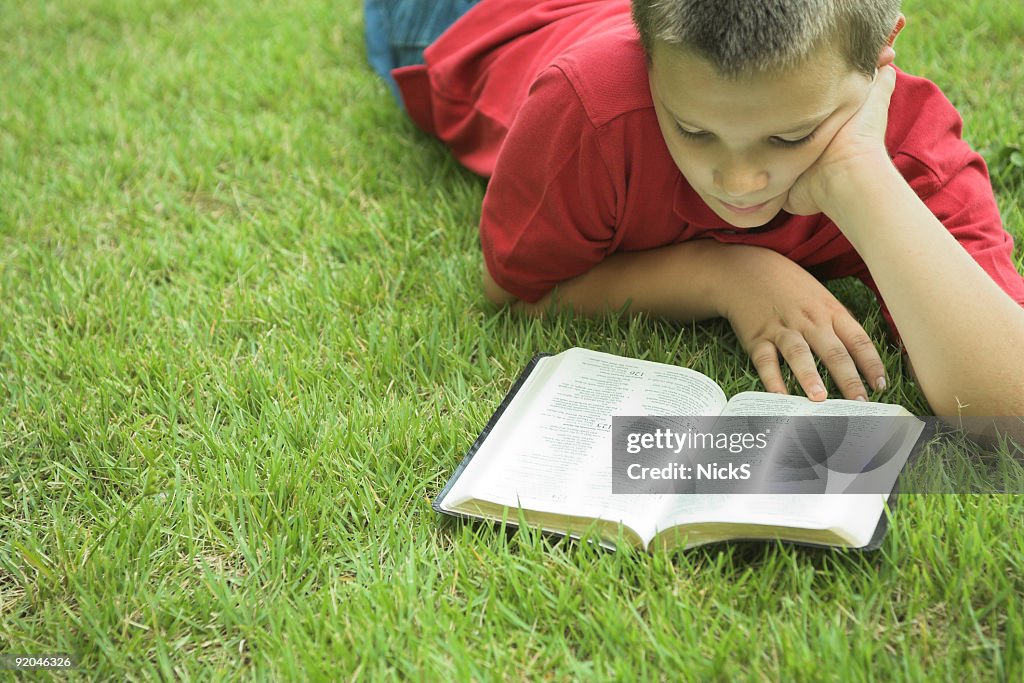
<point>551,451</point>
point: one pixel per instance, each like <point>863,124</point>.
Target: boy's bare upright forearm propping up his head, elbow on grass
<point>961,330</point>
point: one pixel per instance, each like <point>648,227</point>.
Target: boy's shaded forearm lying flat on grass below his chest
<point>681,282</point>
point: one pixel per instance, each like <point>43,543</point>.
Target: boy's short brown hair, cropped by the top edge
<point>746,37</point>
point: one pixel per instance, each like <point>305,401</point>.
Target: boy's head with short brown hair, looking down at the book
<point>749,94</point>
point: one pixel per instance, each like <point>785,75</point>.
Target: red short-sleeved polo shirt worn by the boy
<point>551,101</point>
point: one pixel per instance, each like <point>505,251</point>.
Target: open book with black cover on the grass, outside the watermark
<point>547,455</point>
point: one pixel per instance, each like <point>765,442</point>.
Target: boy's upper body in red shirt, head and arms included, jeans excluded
<point>721,157</point>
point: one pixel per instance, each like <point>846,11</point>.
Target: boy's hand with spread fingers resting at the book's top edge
<point>776,307</point>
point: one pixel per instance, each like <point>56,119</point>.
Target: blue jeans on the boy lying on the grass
<point>398,31</point>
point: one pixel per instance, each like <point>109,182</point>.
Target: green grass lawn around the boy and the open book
<point>243,347</point>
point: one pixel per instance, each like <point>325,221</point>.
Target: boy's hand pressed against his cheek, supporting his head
<point>861,142</point>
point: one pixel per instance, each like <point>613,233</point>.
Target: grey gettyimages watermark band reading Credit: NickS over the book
<point>793,455</point>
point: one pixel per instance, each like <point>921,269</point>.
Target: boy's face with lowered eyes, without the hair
<point>743,144</point>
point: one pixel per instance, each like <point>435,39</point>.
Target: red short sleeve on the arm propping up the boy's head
<point>966,206</point>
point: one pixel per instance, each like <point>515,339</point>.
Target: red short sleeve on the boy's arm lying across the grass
<point>549,211</point>
